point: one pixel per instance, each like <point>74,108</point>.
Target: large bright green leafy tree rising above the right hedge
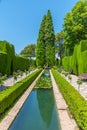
<point>75,26</point>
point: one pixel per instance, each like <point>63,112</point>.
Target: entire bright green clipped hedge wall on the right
<point>77,62</point>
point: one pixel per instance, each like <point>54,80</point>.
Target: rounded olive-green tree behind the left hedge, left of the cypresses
<point>29,51</point>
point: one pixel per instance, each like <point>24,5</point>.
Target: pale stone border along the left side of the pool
<point>7,121</point>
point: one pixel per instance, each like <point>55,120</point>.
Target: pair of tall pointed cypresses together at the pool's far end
<point>45,51</point>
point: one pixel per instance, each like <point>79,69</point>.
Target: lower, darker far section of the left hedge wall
<point>21,63</point>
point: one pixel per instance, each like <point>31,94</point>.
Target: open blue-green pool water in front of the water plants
<point>38,112</point>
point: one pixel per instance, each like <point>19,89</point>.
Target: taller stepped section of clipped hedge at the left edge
<point>8,49</point>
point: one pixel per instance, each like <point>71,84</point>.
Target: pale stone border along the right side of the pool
<point>67,121</point>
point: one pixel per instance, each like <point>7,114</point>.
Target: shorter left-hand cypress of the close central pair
<point>40,48</point>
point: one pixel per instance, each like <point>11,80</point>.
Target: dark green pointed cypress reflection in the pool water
<point>46,104</point>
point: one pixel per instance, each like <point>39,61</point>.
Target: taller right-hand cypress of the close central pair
<point>49,40</point>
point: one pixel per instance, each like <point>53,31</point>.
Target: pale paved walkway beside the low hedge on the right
<point>83,87</point>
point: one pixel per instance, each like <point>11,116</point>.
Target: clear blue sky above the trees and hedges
<point>20,19</point>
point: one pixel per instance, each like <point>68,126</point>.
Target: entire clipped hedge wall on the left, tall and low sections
<point>9,62</point>
